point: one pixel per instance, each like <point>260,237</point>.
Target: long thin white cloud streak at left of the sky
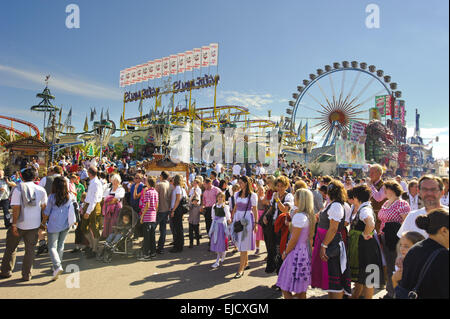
<point>18,78</point>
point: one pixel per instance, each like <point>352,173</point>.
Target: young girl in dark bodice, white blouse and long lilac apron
<point>221,217</point>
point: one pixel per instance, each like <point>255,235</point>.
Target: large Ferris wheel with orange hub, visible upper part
<point>332,98</point>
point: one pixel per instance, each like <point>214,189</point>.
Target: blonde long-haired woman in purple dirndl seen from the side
<point>295,273</point>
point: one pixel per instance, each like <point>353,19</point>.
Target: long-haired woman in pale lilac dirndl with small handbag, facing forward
<point>245,212</point>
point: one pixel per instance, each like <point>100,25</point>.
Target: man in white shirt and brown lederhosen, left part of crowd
<point>90,225</point>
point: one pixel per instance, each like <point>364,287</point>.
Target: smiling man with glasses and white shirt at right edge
<point>431,190</point>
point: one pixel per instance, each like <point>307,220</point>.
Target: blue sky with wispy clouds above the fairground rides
<point>266,48</point>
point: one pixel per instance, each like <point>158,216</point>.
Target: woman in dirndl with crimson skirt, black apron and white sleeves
<point>330,270</point>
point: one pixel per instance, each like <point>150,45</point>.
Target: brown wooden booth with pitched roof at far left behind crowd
<point>25,150</point>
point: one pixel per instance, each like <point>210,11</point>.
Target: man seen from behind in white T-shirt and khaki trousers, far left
<point>28,203</point>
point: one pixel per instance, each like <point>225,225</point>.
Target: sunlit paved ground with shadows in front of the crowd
<point>186,275</point>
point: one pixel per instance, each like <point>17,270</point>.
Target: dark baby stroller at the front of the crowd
<point>121,240</point>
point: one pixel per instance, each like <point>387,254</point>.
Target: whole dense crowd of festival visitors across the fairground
<point>319,231</point>
